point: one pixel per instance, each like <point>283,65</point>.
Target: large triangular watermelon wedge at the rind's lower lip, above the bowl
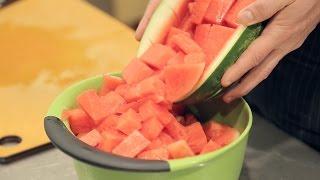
<point>180,79</point>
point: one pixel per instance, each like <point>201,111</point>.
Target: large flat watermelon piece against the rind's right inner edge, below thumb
<point>217,38</point>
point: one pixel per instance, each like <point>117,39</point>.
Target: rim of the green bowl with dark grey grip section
<point>61,137</point>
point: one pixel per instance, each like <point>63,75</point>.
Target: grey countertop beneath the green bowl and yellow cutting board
<point>271,155</point>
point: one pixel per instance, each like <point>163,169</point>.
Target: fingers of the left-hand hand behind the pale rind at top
<point>153,4</point>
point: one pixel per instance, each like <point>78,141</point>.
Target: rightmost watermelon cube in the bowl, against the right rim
<point>228,136</point>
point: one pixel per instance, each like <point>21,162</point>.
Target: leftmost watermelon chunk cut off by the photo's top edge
<point>198,10</point>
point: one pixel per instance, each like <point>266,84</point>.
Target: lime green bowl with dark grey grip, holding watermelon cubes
<point>92,164</point>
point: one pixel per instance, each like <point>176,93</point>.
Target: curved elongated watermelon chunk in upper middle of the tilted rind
<point>185,43</point>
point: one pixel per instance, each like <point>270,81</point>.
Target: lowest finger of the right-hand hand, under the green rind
<point>255,76</point>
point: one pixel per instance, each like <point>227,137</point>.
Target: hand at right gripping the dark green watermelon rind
<point>292,21</point>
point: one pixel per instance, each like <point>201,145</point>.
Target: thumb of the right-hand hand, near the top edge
<point>261,10</point>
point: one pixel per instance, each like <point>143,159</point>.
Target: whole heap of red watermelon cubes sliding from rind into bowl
<point>135,115</point>
